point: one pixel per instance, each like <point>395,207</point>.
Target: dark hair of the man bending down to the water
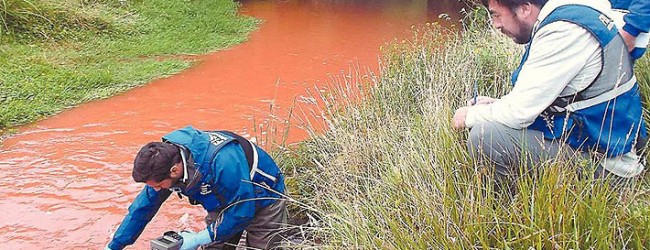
<point>154,161</point>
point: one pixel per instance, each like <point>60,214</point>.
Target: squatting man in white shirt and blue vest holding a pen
<point>574,97</point>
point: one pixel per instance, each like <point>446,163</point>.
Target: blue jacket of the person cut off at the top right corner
<point>636,21</point>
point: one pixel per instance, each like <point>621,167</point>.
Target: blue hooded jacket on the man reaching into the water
<point>223,185</point>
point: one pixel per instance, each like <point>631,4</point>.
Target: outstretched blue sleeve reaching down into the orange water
<point>143,208</point>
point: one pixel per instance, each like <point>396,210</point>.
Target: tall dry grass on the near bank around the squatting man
<point>389,172</point>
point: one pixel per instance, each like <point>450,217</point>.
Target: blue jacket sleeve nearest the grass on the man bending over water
<point>233,183</point>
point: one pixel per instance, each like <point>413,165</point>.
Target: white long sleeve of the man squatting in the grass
<point>562,55</point>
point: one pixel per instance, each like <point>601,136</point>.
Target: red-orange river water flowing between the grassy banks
<point>67,179</point>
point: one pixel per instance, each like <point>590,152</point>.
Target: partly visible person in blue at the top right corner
<point>634,24</point>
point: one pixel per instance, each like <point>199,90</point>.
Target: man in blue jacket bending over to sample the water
<point>236,182</point>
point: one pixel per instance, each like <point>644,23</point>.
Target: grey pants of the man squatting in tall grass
<point>513,152</point>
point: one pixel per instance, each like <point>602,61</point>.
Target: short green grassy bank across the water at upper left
<point>57,54</point>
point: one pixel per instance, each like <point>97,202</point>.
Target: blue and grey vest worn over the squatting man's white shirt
<point>607,115</point>
